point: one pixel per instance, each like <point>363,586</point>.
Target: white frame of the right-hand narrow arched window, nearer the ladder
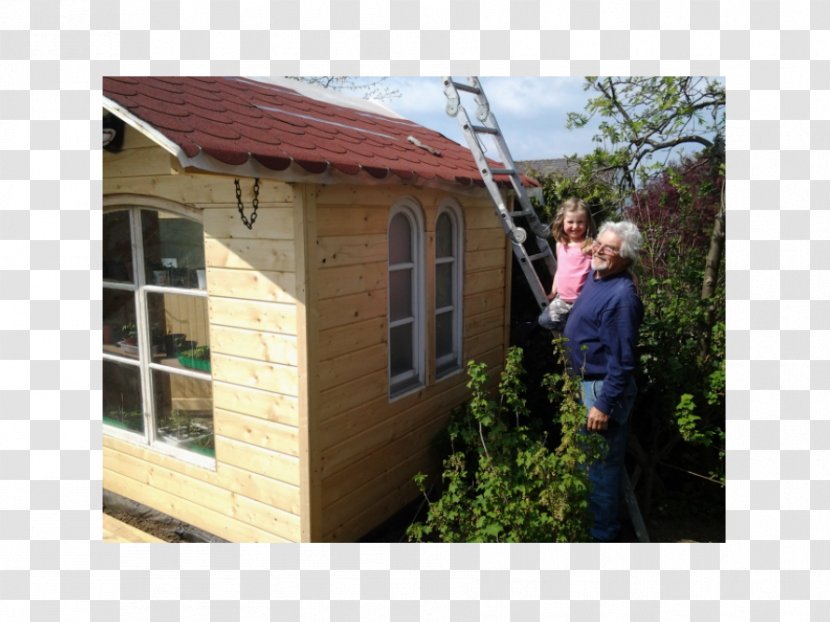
<point>449,364</point>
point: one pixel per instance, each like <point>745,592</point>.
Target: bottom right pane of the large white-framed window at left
<point>184,412</point>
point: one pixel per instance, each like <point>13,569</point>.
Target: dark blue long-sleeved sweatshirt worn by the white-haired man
<point>605,320</point>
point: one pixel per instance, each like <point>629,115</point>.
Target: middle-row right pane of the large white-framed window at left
<point>179,330</point>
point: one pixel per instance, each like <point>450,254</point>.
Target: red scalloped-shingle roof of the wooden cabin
<point>264,129</point>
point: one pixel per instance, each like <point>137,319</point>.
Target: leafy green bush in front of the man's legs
<point>500,482</point>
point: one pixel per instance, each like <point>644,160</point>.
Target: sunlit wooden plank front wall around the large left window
<point>253,493</point>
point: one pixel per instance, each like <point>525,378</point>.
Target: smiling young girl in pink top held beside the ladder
<point>574,230</point>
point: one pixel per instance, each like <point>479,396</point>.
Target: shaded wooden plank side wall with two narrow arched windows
<point>370,447</point>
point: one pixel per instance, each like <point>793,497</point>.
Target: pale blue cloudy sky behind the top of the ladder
<point>530,111</point>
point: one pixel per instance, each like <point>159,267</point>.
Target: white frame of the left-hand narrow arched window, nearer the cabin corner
<point>412,380</point>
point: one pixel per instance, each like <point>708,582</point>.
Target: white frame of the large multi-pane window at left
<point>144,363</point>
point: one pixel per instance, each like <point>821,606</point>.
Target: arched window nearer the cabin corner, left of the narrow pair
<point>406,316</point>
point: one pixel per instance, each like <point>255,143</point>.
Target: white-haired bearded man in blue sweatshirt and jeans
<point>602,332</point>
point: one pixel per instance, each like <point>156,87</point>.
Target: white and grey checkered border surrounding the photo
<point>776,563</point>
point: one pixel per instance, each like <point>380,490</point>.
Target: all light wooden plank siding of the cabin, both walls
<point>308,445</point>
